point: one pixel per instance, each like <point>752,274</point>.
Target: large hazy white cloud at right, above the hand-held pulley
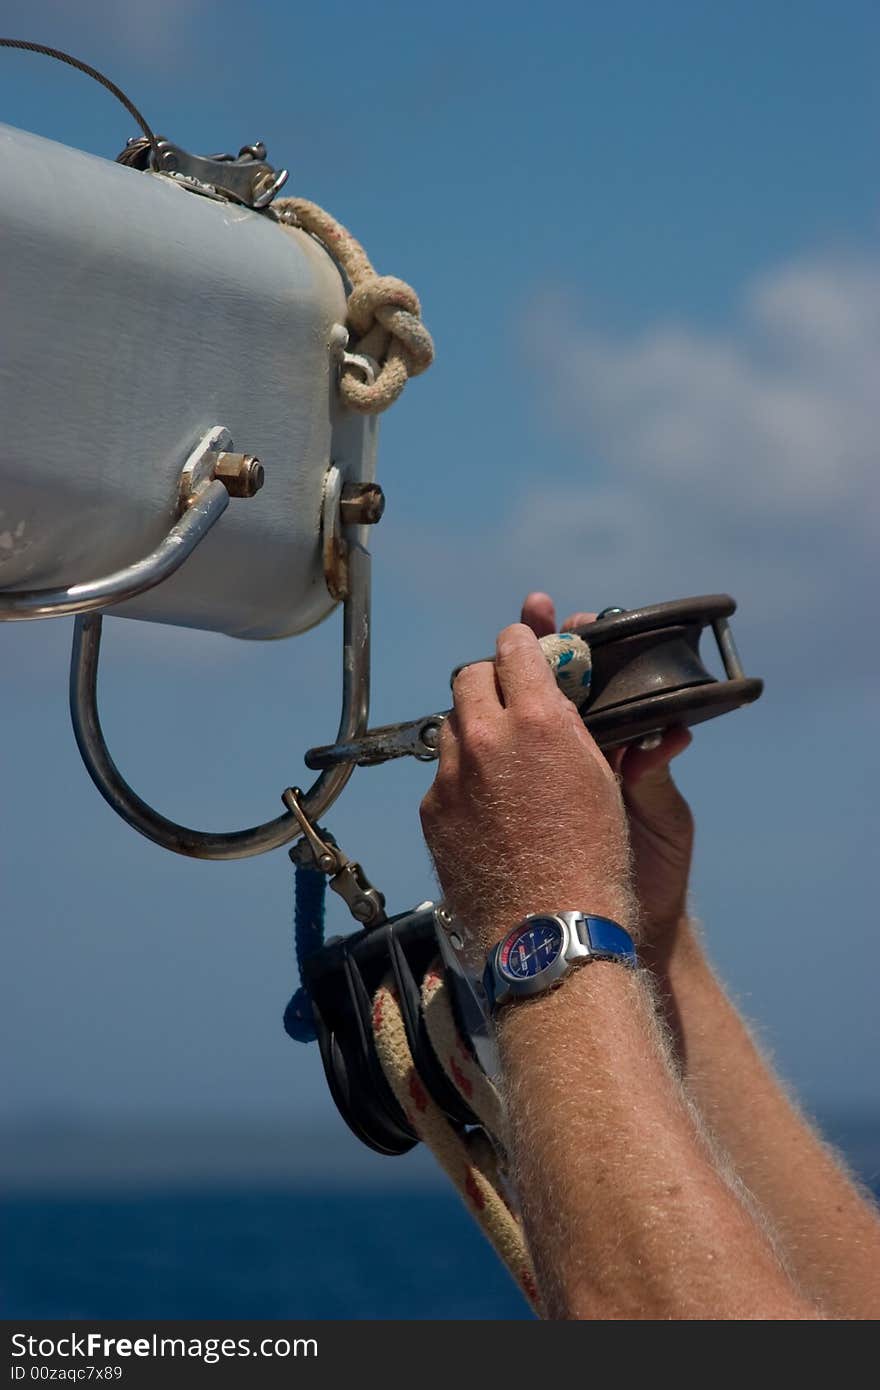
<point>742,461</point>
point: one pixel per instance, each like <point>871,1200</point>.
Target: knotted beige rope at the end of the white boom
<point>384,315</point>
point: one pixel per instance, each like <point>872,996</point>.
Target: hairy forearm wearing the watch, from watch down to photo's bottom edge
<point>626,1210</point>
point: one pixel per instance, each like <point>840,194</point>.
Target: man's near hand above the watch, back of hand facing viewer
<point>525,814</point>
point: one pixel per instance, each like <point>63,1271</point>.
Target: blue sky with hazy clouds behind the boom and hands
<point>646,240</point>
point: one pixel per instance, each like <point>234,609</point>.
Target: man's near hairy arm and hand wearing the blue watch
<point>626,1210</point>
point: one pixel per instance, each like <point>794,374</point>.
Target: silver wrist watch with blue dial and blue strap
<point>541,950</point>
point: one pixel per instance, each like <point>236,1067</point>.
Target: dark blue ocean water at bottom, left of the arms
<point>265,1254</point>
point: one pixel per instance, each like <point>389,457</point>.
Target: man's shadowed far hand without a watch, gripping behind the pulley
<point>660,818</point>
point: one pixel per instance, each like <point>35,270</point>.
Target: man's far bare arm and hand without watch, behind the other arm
<point>828,1229</point>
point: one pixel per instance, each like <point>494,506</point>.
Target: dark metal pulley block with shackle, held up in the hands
<point>647,676</point>
